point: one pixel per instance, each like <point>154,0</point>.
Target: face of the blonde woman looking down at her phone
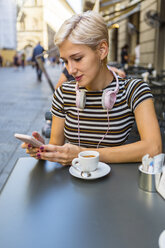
<point>82,63</point>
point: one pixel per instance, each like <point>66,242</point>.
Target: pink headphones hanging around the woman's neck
<point>108,97</point>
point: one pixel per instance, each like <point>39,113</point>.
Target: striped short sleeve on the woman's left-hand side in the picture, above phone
<point>58,104</point>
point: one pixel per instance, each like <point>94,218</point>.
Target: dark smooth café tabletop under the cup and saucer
<point>43,206</point>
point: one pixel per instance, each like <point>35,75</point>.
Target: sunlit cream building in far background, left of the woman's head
<point>38,20</point>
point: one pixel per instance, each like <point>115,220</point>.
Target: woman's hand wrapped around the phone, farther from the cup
<point>32,151</point>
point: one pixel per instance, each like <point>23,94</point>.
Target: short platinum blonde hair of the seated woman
<point>87,28</point>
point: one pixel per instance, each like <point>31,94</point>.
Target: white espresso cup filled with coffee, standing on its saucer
<point>86,161</point>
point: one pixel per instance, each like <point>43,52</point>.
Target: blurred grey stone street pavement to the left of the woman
<point>23,103</point>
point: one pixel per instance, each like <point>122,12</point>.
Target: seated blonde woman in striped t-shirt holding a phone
<point>97,110</point>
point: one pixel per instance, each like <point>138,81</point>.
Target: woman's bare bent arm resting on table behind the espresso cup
<point>150,138</point>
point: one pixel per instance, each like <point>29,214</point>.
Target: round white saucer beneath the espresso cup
<point>102,170</point>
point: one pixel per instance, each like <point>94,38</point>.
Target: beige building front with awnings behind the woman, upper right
<point>138,23</point>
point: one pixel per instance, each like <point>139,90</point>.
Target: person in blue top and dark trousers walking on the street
<point>38,49</point>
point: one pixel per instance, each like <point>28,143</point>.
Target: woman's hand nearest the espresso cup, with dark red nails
<point>61,154</point>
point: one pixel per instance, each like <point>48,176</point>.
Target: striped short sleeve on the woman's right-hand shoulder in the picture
<point>137,92</point>
